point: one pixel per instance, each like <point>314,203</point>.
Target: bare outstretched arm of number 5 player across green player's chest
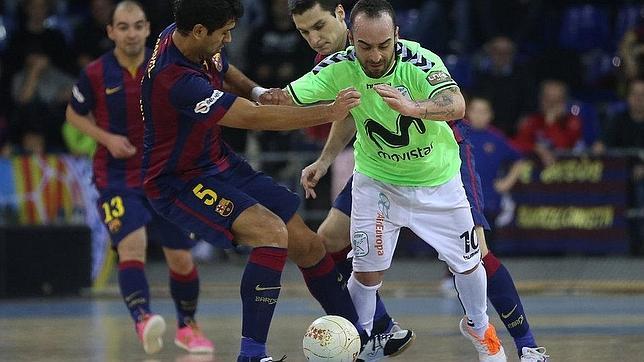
<point>245,114</point>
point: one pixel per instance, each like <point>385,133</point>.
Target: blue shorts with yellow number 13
<point>124,211</point>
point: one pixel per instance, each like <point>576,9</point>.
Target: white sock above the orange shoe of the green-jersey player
<point>472,292</point>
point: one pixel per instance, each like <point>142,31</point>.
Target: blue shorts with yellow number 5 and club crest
<point>209,205</point>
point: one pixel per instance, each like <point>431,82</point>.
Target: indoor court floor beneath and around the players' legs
<point>573,325</point>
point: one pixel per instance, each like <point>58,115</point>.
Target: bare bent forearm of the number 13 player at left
<point>119,146</point>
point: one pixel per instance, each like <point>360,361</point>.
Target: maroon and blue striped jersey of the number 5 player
<point>182,102</point>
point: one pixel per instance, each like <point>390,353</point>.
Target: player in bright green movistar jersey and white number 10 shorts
<point>407,162</point>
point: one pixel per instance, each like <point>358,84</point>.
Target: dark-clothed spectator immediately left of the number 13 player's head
<point>90,39</point>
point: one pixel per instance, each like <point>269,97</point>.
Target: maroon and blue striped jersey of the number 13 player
<point>111,94</point>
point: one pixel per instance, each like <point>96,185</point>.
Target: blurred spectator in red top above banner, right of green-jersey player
<point>553,128</point>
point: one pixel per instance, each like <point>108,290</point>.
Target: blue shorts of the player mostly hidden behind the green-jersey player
<point>469,176</point>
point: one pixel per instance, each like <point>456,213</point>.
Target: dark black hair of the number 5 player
<point>212,14</point>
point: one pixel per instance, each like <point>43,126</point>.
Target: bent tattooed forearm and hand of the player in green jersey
<point>446,105</point>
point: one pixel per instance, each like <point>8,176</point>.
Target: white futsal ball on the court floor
<point>331,338</point>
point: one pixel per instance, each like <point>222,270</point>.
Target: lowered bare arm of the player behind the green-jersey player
<point>341,133</point>
